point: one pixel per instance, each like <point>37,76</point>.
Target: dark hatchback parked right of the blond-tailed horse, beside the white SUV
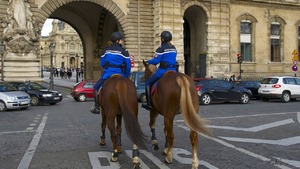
<point>212,90</point>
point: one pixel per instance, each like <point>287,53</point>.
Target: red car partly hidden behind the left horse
<point>83,90</point>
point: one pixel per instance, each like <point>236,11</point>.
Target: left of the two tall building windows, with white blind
<point>245,40</point>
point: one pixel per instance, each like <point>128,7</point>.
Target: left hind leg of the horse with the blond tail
<point>169,139</point>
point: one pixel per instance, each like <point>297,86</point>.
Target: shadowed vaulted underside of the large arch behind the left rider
<point>94,22</point>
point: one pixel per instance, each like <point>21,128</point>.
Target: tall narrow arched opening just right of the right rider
<point>195,41</point>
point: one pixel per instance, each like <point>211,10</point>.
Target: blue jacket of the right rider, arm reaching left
<point>167,54</point>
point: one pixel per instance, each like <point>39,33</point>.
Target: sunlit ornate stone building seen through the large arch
<point>68,47</point>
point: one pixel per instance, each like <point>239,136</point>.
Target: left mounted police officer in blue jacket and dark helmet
<point>115,60</point>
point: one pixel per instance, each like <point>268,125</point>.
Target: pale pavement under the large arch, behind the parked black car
<point>57,81</point>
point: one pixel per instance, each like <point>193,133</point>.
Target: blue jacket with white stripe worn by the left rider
<point>112,59</point>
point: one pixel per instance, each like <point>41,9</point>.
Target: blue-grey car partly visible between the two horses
<point>139,80</point>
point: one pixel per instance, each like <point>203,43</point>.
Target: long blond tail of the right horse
<point>189,112</point>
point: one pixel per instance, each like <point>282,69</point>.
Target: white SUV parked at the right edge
<point>286,88</point>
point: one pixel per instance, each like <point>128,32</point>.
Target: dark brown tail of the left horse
<point>127,108</point>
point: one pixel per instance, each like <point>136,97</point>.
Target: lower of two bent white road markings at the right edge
<point>282,142</point>
